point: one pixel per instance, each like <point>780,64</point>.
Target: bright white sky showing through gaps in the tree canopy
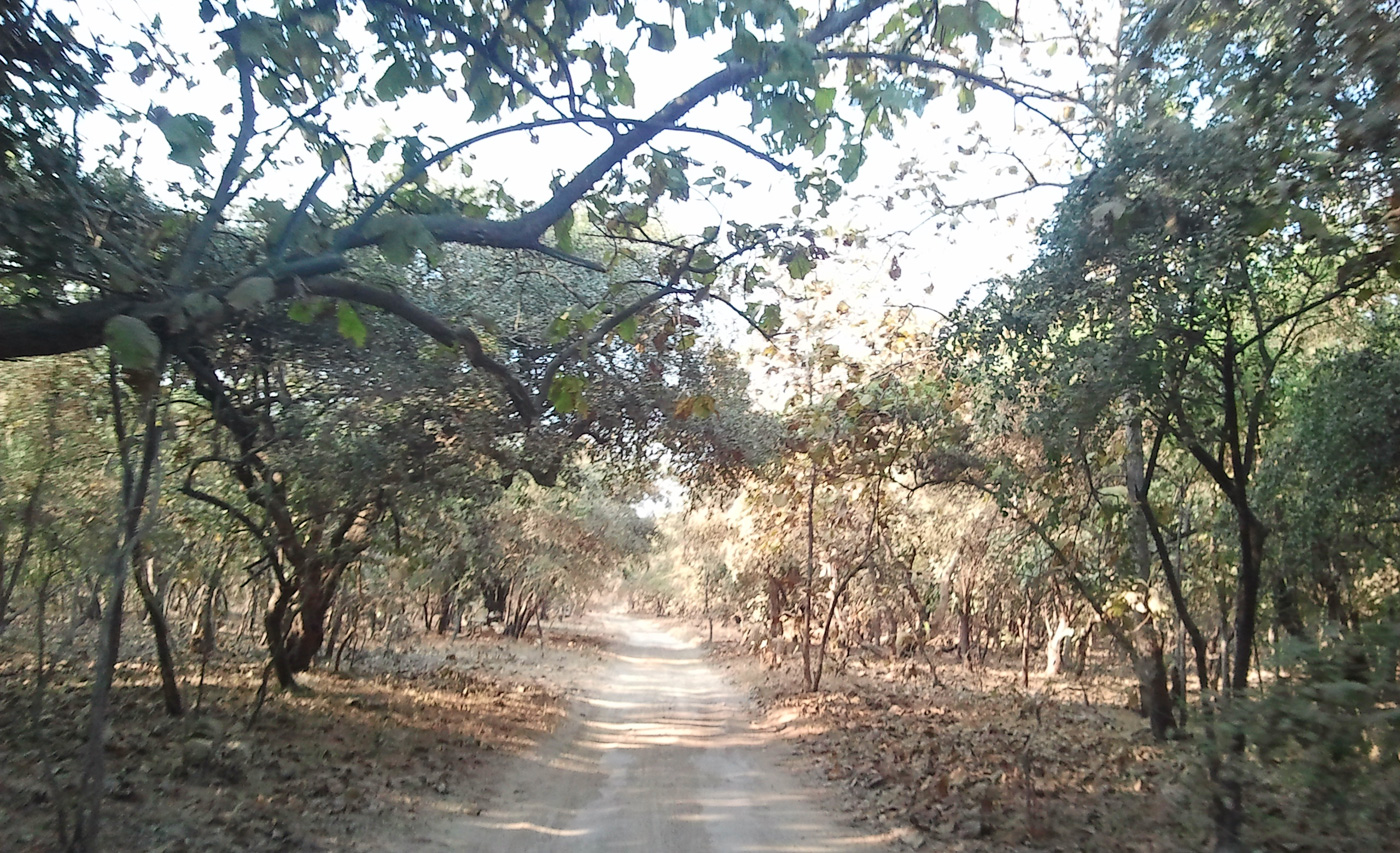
<point>939,264</point>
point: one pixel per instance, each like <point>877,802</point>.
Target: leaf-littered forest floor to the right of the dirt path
<point>974,761</point>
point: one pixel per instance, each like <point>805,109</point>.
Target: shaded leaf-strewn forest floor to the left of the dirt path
<point>351,760</point>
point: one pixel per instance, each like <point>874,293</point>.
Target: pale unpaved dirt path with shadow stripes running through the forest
<point>659,754</point>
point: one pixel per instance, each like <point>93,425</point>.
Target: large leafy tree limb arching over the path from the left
<point>303,69</point>
